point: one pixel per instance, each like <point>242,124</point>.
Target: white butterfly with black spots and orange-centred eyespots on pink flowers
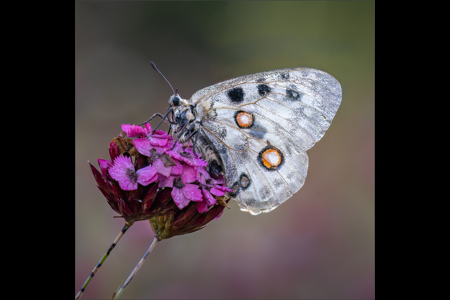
<point>255,130</point>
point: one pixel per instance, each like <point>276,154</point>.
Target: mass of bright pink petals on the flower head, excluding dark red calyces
<point>175,167</point>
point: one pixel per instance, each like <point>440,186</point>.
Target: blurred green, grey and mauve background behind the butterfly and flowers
<point>317,245</point>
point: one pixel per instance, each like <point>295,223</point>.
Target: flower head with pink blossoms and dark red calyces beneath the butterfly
<point>162,171</point>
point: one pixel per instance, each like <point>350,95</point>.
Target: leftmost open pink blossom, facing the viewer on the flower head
<point>123,171</point>
